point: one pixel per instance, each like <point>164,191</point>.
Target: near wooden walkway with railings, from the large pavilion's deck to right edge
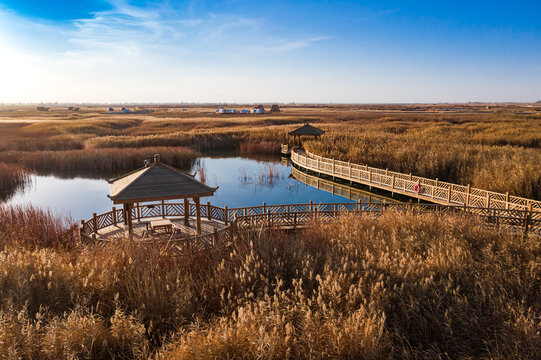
<point>217,220</point>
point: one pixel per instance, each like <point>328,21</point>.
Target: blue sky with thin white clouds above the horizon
<point>111,51</point>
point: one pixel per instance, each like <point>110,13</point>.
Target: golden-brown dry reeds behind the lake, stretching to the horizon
<point>496,149</point>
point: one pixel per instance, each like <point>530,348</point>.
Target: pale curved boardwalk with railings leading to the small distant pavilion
<point>422,188</point>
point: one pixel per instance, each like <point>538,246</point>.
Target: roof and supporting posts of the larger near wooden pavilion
<point>158,182</point>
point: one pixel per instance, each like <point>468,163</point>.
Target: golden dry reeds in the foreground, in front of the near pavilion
<point>397,286</point>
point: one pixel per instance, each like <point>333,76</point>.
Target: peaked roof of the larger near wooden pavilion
<point>157,182</point>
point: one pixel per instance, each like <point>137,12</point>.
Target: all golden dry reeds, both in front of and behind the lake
<point>398,286</point>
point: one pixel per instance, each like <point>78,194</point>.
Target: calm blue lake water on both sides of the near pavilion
<point>241,181</point>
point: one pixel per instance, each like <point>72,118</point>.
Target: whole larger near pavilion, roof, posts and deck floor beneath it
<point>157,182</point>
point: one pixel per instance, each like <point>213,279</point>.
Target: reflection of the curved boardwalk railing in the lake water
<point>338,189</point>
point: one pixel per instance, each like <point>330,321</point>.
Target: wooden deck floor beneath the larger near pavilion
<point>207,227</point>
